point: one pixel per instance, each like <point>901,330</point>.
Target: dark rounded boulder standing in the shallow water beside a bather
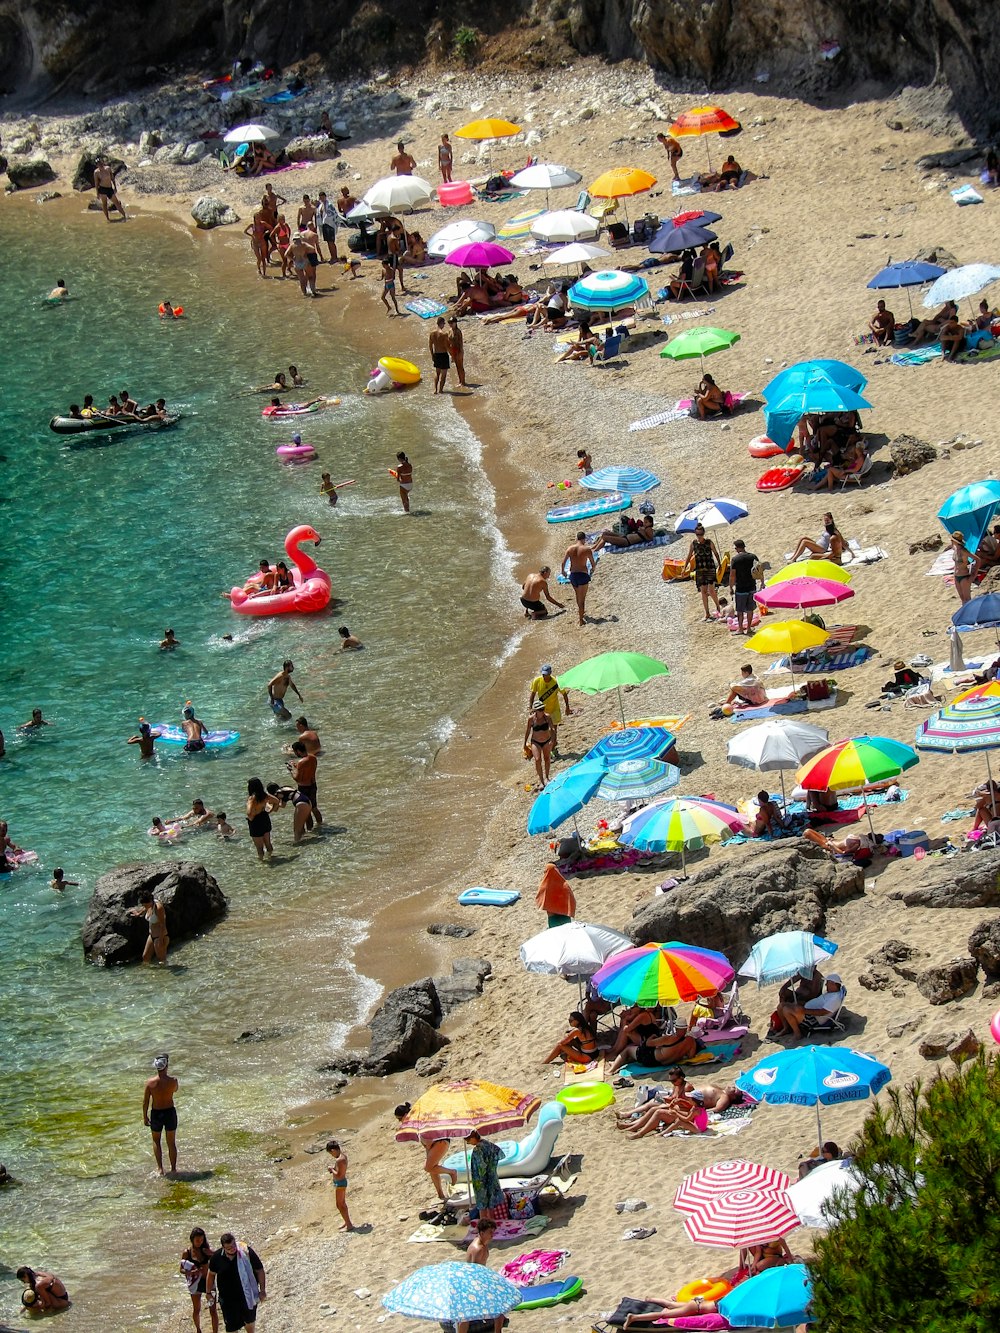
<point>189,892</point>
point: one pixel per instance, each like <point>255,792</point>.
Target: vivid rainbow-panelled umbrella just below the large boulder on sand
<point>663,974</point>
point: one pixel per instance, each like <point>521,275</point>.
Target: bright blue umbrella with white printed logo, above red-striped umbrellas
<point>814,1076</point>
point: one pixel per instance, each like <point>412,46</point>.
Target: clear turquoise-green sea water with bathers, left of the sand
<point>102,547</point>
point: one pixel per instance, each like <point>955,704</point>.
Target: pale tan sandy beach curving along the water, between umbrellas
<point>839,194</point>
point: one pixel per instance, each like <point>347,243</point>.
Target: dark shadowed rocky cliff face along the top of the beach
<point>113,45</point>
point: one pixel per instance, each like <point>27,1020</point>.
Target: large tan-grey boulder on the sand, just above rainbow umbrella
<point>734,903</point>
